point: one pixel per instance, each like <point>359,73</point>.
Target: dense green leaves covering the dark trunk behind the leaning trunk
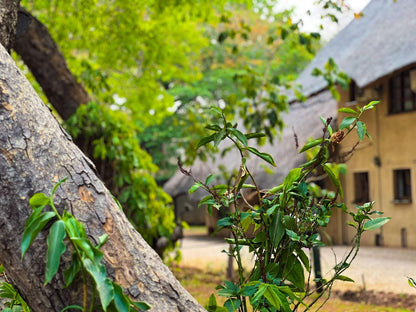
<point>126,169</point>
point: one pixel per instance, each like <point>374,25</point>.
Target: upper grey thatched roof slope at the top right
<point>381,42</point>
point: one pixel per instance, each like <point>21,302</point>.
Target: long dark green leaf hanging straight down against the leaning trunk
<point>56,248</point>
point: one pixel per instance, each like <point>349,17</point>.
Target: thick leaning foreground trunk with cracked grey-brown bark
<point>35,152</point>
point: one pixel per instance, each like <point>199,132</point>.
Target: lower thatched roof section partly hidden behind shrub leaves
<point>302,119</point>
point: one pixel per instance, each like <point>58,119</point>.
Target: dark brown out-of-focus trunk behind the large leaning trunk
<point>41,55</point>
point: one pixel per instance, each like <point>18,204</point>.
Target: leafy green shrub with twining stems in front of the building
<point>285,222</point>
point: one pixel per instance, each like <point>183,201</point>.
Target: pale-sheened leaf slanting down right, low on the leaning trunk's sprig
<point>103,284</point>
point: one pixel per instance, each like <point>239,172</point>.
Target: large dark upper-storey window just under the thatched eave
<point>402,95</point>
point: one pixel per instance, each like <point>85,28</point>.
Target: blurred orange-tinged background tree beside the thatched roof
<point>253,56</point>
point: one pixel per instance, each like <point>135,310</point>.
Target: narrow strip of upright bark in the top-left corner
<point>8,21</point>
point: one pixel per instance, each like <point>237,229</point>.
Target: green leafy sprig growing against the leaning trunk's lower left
<point>86,258</point>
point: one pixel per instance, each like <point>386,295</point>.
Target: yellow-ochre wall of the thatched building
<point>392,147</point>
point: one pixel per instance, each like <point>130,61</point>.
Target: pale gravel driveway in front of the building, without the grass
<point>375,268</point>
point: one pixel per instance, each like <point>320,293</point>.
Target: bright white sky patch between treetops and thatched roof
<point>312,22</point>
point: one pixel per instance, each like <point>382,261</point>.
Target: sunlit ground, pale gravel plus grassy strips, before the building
<point>376,288</point>
